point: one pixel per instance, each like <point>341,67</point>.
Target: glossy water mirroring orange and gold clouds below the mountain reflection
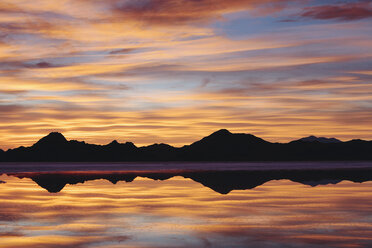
<point>181,212</point>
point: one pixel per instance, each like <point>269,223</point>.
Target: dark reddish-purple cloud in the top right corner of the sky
<point>344,12</point>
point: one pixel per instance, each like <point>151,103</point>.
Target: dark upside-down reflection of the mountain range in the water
<point>220,181</point>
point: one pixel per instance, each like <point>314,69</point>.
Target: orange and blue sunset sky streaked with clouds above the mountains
<point>173,71</point>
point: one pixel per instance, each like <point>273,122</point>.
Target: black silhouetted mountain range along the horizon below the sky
<point>219,146</point>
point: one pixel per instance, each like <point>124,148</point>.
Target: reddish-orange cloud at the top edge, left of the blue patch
<point>175,12</point>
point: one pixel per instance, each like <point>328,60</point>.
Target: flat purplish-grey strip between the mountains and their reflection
<point>159,166</point>
